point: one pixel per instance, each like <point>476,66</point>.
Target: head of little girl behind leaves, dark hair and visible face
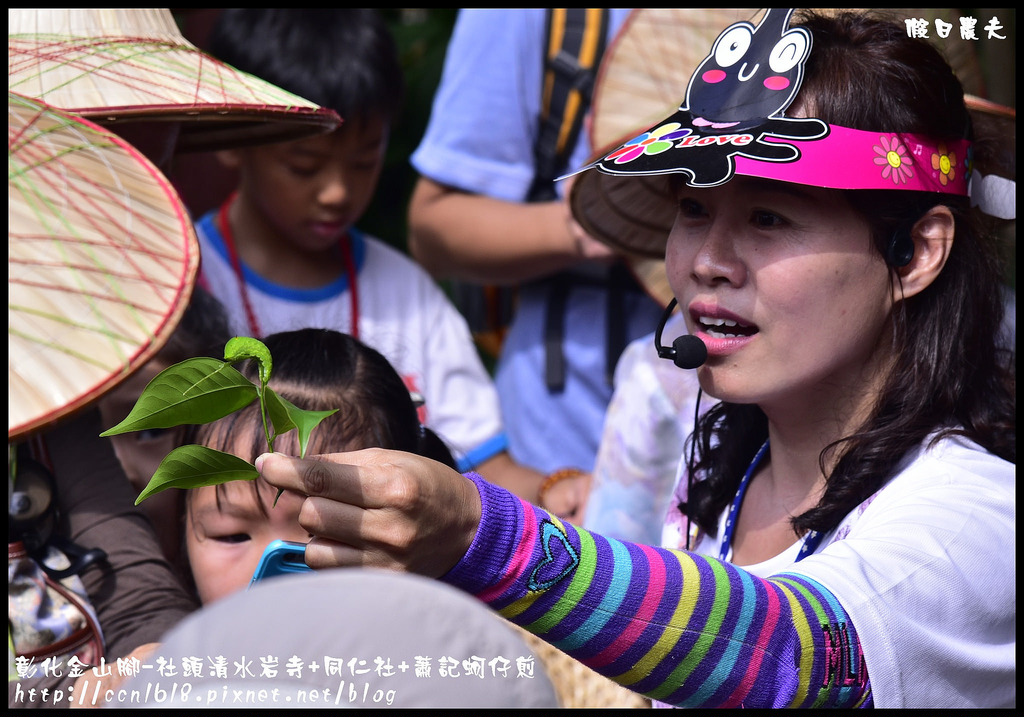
<point>229,527</point>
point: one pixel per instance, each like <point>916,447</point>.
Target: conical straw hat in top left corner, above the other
<point>119,66</point>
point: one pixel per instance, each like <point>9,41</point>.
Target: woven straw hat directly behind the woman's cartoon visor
<point>644,76</point>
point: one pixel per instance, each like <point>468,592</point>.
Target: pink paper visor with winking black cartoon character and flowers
<point>733,122</point>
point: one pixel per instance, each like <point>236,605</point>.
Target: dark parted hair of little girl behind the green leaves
<point>321,370</point>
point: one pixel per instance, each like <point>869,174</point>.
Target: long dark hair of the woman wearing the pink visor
<point>950,375</point>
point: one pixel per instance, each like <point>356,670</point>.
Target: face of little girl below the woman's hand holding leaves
<point>226,542</point>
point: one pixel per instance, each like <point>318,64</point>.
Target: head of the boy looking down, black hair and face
<point>312,192</point>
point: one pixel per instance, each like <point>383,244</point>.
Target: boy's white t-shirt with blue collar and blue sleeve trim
<point>403,314</point>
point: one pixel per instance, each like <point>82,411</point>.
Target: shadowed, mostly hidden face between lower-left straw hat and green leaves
<point>142,452</point>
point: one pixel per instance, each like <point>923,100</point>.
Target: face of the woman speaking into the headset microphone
<point>782,283</point>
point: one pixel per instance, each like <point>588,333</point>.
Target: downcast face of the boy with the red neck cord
<point>311,192</point>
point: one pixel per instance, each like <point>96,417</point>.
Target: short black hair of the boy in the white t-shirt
<point>343,59</point>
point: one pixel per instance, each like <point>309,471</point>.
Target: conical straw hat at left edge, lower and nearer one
<point>102,263</point>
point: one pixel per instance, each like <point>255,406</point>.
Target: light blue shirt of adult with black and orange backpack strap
<point>481,140</point>
